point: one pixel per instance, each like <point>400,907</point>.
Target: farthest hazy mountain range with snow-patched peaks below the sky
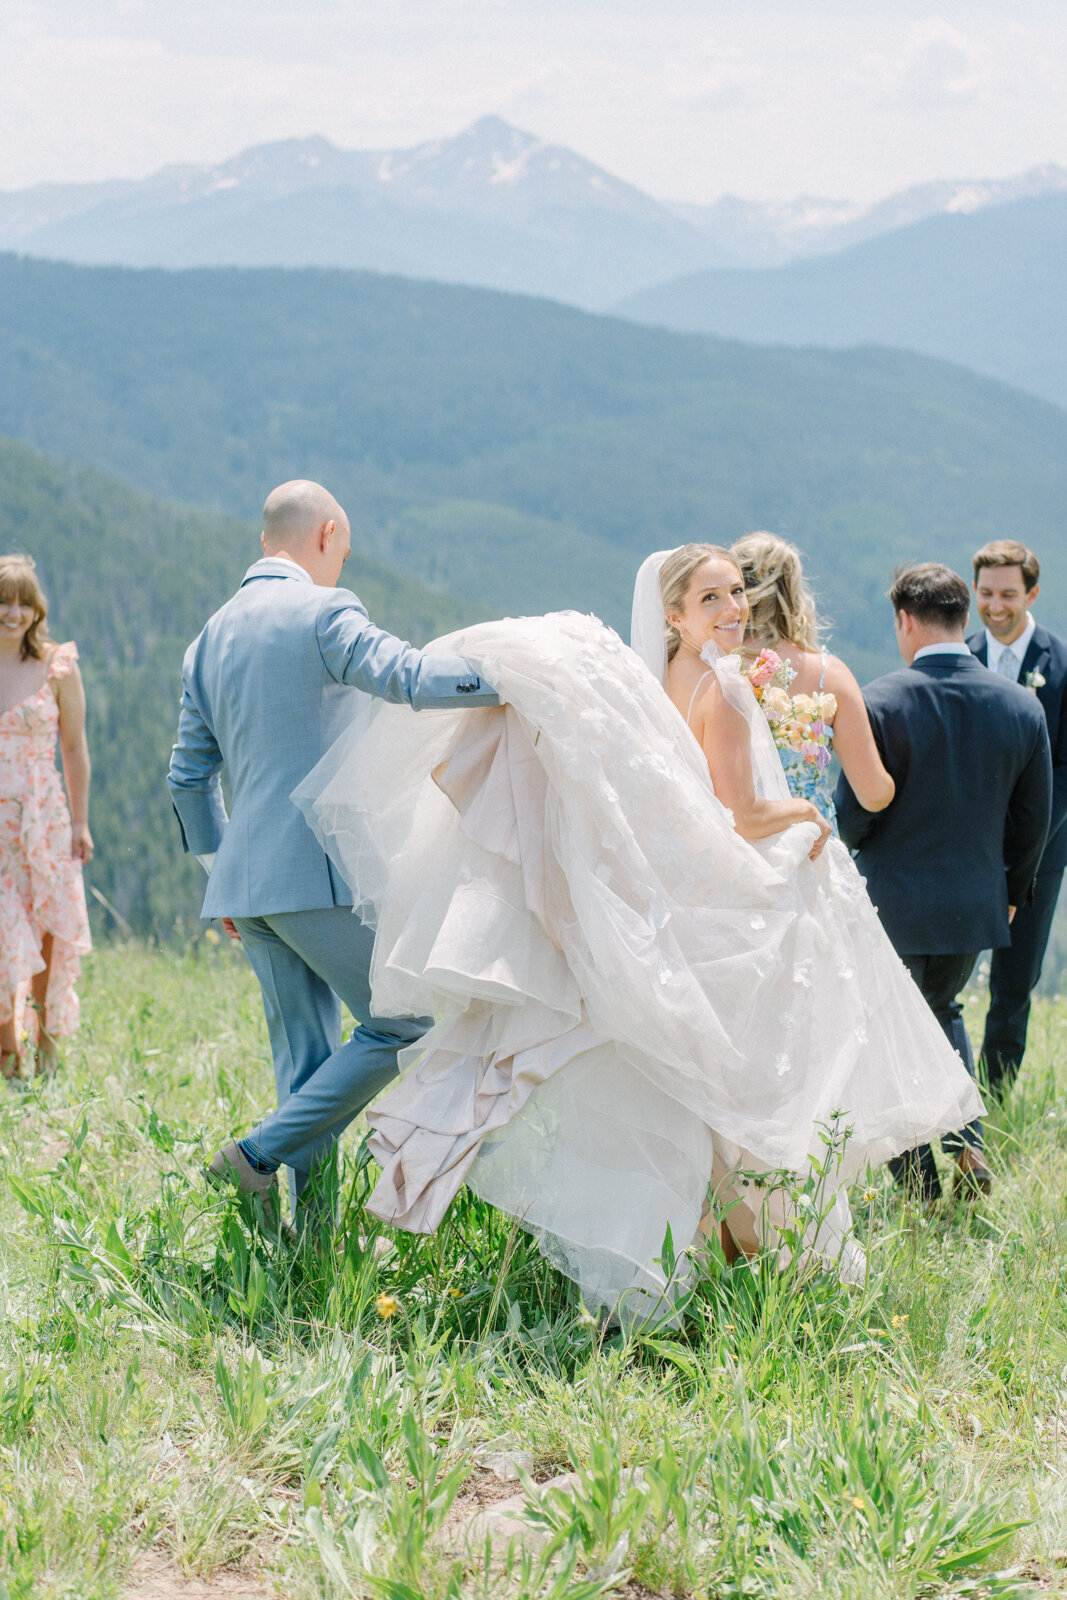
<point>492,207</point>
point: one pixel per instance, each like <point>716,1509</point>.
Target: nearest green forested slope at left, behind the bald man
<point>134,580</point>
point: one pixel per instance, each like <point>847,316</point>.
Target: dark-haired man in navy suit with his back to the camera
<point>957,850</point>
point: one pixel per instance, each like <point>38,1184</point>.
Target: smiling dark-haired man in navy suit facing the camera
<point>1018,649</point>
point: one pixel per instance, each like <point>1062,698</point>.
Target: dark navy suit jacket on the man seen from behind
<point>964,838</point>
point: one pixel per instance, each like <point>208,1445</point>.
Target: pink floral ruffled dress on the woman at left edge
<point>41,884</point>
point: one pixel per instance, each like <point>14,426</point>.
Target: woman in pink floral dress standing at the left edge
<point>44,927</point>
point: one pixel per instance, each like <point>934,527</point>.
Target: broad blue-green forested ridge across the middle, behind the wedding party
<point>519,454</point>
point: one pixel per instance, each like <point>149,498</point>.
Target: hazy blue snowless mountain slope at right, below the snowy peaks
<point>986,289</point>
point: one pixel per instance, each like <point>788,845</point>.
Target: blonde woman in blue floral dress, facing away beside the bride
<point>810,698</point>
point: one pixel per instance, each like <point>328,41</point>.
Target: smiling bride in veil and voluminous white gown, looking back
<point>634,1004</point>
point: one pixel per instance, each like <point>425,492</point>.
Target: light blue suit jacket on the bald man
<point>266,690</point>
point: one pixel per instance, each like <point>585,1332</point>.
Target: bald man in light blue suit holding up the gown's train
<point>268,687</point>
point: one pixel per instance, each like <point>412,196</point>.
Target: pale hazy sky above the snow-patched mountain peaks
<point>687,98</point>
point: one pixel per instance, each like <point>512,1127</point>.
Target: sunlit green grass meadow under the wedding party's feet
<point>188,1409</point>
